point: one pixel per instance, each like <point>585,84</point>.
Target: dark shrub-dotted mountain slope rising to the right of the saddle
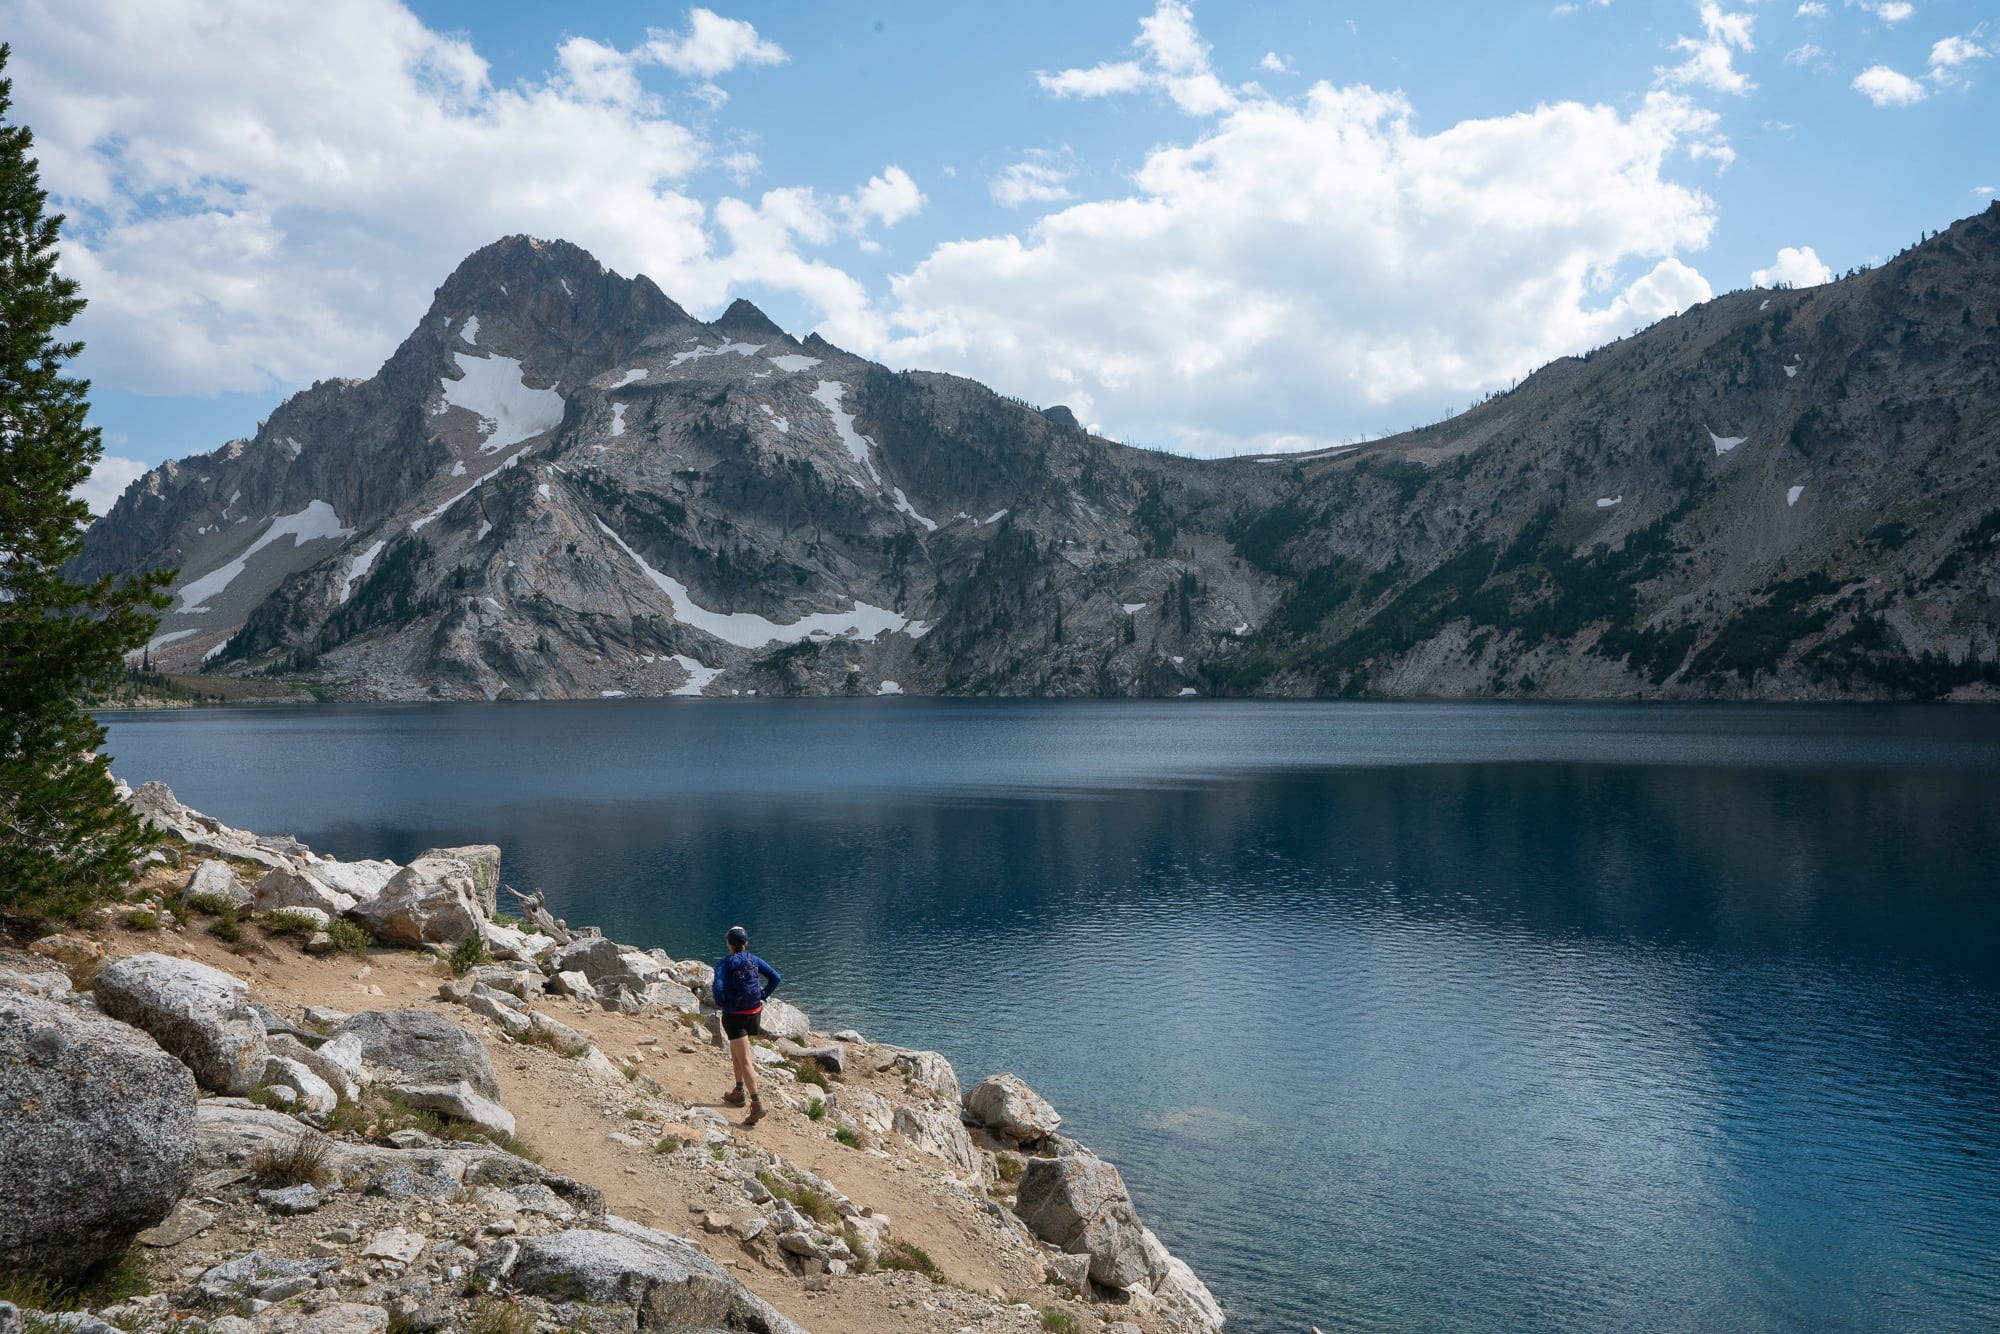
<point>1775,495</point>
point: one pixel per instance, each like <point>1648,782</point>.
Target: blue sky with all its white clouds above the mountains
<point>1209,227</point>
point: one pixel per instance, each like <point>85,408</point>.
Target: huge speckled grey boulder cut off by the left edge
<point>97,1137</point>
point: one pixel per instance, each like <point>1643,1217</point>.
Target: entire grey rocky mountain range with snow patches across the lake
<point>563,485</point>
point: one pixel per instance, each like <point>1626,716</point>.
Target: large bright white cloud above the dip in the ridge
<point>1319,267</point>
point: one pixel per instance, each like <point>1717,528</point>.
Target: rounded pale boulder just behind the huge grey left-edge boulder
<point>197,1013</point>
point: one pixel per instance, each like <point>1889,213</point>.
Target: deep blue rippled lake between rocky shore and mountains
<point>1397,1017</point>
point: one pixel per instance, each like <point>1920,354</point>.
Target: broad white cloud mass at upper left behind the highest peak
<point>247,221</point>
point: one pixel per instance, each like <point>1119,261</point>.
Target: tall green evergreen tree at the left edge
<point>65,837</point>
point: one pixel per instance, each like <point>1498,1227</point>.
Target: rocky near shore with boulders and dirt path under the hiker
<point>283,1093</point>
